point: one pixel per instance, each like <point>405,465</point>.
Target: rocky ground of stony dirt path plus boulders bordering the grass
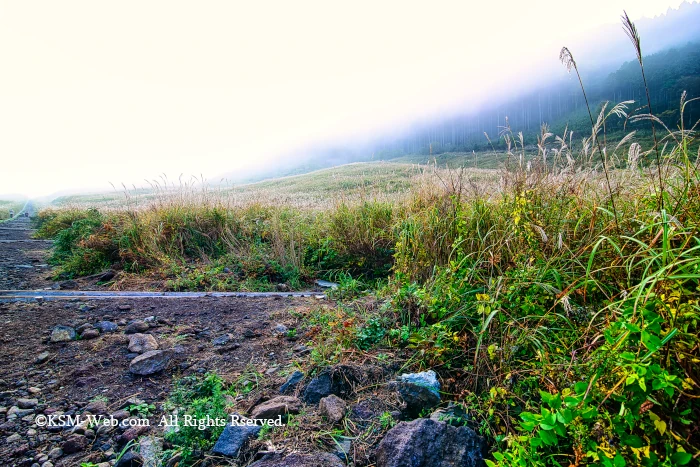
<point>116,357</point>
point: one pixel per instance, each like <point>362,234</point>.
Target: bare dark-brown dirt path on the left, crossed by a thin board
<point>226,334</point>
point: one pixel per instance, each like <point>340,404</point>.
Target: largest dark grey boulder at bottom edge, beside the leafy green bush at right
<point>427,443</point>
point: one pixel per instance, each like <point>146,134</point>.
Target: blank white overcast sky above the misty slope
<point>96,91</point>
